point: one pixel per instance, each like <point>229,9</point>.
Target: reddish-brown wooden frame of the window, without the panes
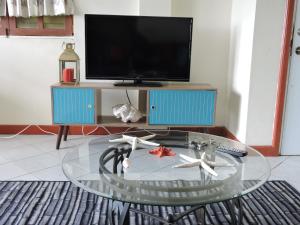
<point>10,23</point>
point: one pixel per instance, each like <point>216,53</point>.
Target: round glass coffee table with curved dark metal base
<point>97,167</point>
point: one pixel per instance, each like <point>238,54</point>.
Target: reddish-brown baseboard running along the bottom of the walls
<point>268,150</point>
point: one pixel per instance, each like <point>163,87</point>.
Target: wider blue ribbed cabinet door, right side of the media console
<point>182,107</point>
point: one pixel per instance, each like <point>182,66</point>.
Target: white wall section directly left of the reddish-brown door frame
<point>265,71</point>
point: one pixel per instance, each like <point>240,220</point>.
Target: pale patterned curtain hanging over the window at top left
<point>28,8</point>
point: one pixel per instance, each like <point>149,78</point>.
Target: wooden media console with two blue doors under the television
<point>171,105</point>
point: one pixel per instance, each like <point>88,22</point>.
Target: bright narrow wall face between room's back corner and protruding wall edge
<point>241,43</point>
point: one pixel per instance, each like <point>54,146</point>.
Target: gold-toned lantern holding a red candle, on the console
<point>69,72</point>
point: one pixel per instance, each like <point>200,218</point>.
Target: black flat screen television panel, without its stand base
<point>139,48</point>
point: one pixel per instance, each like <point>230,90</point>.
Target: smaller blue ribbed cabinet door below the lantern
<point>73,105</point>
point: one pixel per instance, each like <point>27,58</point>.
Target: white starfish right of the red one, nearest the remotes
<point>203,162</point>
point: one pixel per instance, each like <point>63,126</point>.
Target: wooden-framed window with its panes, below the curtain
<point>37,26</point>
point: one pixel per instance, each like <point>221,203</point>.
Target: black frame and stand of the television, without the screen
<point>139,80</point>
